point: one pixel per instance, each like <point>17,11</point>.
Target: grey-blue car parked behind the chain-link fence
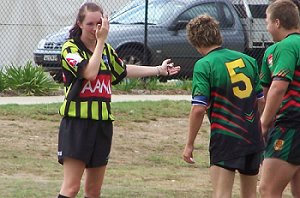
<point>162,35</point>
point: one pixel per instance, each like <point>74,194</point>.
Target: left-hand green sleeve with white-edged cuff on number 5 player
<point>201,84</point>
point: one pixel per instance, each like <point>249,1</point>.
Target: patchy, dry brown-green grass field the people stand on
<point>149,138</point>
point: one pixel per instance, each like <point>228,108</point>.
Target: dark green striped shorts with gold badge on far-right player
<point>284,143</point>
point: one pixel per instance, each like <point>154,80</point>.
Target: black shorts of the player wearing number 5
<point>246,165</point>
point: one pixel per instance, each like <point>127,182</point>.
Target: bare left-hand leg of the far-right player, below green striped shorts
<point>276,174</point>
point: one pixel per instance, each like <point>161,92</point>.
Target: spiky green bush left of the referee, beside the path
<point>28,80</point>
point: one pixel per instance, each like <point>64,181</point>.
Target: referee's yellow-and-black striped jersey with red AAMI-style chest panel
<point>83,98</point>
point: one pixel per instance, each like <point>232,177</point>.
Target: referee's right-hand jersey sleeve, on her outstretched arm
<point>118,67</point>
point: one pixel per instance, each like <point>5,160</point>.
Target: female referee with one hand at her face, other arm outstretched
<point>90,66</point>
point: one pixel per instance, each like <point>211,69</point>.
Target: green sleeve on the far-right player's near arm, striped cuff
<point>284,62</point>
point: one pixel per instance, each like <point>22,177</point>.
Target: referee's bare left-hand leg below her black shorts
<point>73,170</point>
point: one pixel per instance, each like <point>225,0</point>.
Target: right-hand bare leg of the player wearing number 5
<point>248,186</point>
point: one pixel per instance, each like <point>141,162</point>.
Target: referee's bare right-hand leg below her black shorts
<point>93,182</point>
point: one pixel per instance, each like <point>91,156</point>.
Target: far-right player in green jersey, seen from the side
<point>281,84</point>
